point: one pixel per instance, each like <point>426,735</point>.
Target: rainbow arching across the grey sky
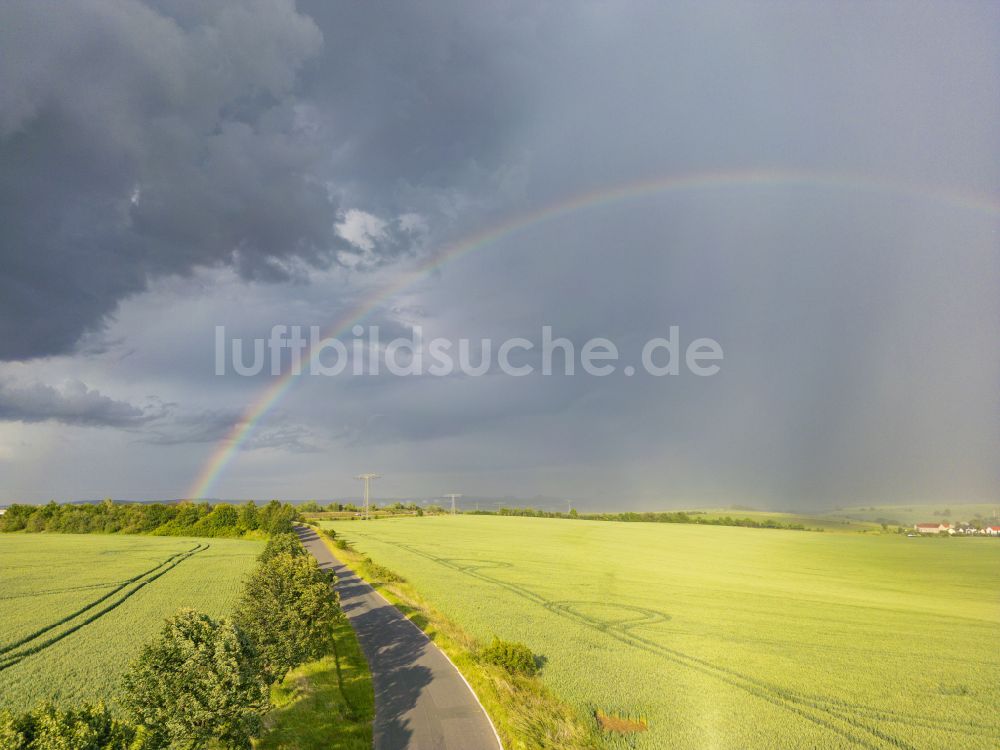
<point>229,446</point>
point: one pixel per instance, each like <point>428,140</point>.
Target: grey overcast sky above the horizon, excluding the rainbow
<point>167,167</point>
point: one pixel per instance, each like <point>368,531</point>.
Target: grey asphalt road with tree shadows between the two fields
<point>421,701</point>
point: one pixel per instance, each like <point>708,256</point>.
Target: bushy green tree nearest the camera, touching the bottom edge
<point>197,682</point>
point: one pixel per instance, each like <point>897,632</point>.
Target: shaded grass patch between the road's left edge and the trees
<point>327,704</point>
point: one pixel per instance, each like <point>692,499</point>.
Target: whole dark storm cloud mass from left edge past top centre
<point>143,139</point>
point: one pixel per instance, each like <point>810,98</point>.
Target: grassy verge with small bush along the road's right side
<point>525,713</point>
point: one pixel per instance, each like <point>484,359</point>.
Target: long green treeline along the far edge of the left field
<point>174,519</point>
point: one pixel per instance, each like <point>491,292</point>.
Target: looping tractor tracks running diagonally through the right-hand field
<point>852,722</point>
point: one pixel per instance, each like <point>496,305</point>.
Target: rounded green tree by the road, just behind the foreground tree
<point>288,612</point>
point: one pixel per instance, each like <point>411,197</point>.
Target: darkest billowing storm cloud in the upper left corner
<point>133,144</point>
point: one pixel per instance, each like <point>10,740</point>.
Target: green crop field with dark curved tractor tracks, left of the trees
<point>76,609</point>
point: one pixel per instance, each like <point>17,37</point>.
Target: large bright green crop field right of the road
<point>723,637</point>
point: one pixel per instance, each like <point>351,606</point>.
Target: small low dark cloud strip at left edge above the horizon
<point>74,404</point>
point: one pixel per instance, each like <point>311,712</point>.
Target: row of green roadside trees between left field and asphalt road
<point>204,682</point>
